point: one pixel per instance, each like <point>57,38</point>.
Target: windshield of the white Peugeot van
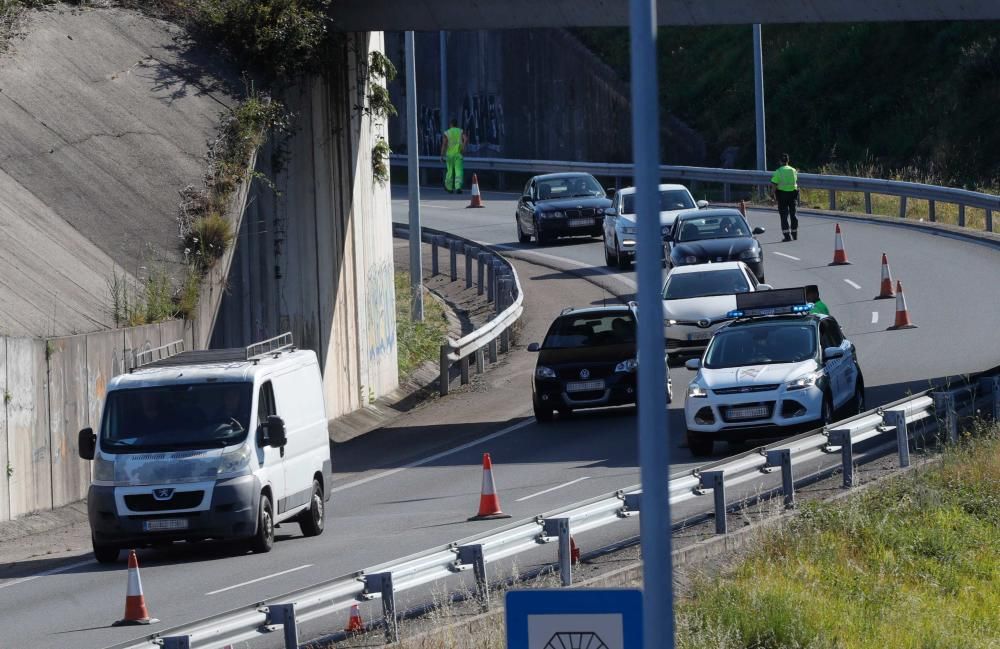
<point>176,417</point>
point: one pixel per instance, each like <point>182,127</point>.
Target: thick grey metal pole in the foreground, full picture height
<point>654,452</point>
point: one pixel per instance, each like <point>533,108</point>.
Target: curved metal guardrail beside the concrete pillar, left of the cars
<point>495,278</point>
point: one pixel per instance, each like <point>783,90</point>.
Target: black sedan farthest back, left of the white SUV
<point>561,205</point>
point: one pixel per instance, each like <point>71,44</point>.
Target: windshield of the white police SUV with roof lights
<point>762,344</point>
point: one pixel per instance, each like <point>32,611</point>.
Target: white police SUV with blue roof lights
<point>775,370</point>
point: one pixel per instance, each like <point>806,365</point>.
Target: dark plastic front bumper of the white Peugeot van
<point>232,514</point>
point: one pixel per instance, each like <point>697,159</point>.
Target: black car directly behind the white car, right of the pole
<point>714,235</point>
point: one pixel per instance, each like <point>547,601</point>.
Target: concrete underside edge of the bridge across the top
<point>433,15</point>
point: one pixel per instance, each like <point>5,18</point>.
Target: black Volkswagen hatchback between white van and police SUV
<point>587,360</point>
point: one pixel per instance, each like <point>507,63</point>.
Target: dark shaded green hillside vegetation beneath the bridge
<point>915,96</point>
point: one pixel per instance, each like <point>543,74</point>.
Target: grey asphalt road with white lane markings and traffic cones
<point>412,485</point>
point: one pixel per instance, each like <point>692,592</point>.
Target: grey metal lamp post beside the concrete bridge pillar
<point>413,180</point>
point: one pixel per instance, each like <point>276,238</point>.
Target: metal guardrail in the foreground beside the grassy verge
<point>905,421</point>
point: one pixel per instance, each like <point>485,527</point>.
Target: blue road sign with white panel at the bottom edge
<point>574,619</point>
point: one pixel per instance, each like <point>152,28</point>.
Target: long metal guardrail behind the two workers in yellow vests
<point>741,177</point>
